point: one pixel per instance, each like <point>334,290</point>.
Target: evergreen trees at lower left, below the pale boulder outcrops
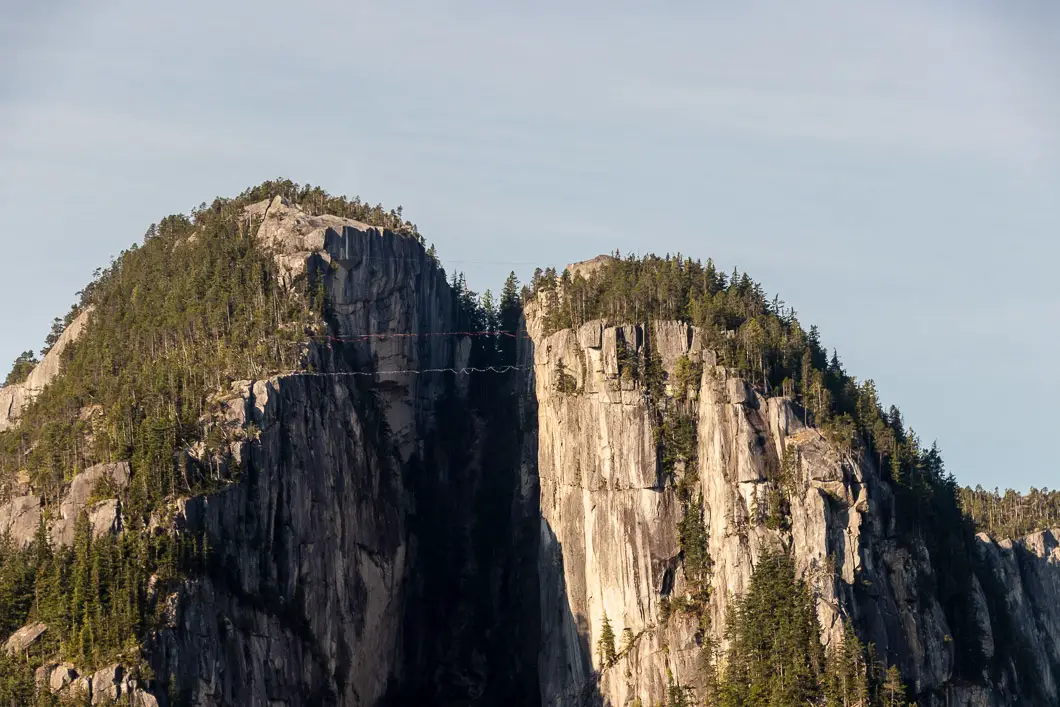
<point>97,598</point>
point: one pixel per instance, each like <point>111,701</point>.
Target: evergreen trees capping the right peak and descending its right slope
<point>763,341</point>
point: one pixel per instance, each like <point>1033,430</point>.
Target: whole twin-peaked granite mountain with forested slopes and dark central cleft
<point>276,456</point>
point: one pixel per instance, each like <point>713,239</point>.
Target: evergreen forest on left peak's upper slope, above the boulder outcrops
<point>174,321</point>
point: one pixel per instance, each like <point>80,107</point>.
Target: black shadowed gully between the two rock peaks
<point>484,604</point>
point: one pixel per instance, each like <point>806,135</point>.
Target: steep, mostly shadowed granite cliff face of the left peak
<point>362,551</point>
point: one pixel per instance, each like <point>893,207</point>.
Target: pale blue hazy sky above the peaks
<point>893,172</point>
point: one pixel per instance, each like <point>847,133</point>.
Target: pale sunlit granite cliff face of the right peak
<point>610,542</point>
